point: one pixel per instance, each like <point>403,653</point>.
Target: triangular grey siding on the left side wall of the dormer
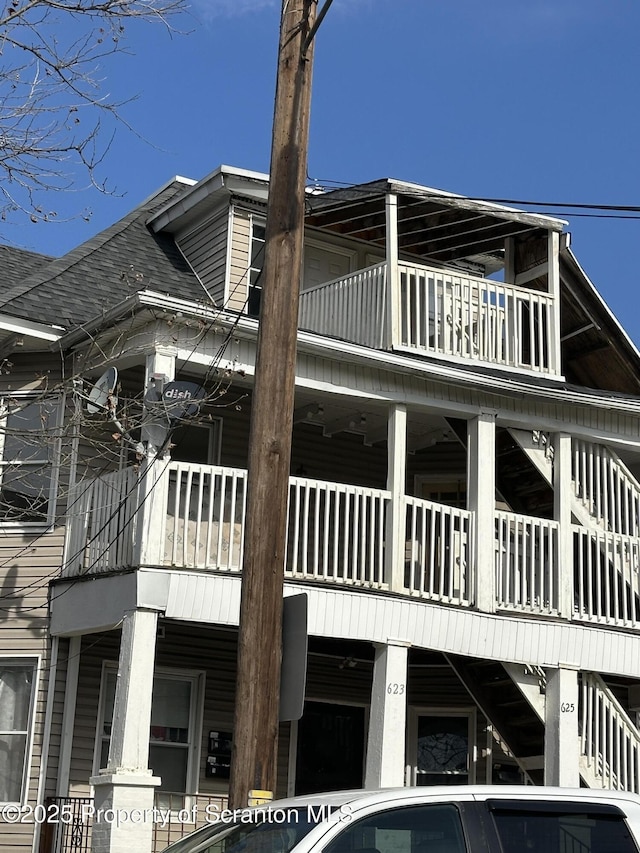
<point>205,249</point>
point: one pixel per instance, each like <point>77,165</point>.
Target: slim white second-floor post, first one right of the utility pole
<point>395,533</point>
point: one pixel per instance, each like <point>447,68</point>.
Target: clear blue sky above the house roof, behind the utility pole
<point>511,99</point>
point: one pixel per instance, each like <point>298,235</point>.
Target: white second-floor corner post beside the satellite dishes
<point>153,488</point>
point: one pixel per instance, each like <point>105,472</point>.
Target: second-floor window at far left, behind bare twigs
<point>27,448</point>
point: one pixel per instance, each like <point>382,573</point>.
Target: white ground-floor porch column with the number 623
<point>386,750</point>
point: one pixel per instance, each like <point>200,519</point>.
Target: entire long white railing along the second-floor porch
<point>339,533</point>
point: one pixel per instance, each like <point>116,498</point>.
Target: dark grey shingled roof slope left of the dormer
<point>99,274</point>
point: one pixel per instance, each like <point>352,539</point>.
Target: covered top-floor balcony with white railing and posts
<point>441,276</point>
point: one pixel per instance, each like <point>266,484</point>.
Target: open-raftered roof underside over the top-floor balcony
<point>437,225</point>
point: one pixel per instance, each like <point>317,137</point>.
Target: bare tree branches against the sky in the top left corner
<point>52,92</point>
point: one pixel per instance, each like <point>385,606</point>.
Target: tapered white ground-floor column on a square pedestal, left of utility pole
<point>124,790</point>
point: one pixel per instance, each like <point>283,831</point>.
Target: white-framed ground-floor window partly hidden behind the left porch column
<point>174,734</point>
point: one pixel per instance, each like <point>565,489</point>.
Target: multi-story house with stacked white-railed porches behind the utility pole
<point>464,511</point>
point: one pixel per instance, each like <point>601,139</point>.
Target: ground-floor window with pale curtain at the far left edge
<point>17,696</point>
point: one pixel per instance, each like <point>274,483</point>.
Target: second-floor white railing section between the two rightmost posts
<point>527,571</point>
